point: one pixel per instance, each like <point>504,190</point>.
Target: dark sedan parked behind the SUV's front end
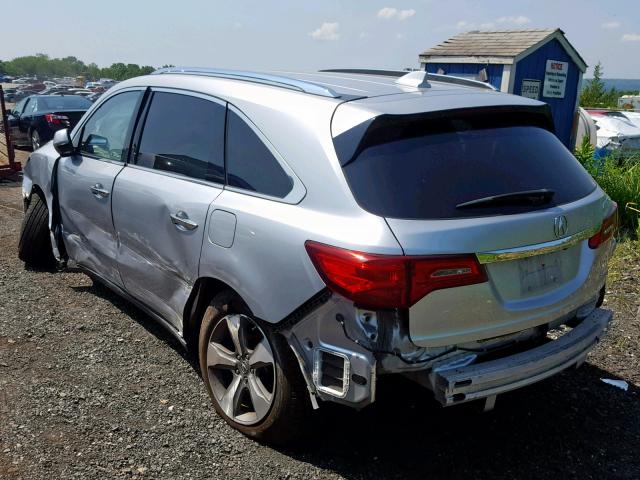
<point>35,119</point>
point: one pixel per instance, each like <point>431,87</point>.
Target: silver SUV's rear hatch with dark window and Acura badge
<point>493,181</point>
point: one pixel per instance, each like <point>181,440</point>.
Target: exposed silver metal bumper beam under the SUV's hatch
<point>483,380</point>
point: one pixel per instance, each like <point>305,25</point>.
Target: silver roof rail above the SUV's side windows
<point>255,77</point>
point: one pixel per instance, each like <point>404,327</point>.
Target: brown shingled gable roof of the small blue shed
<point>508,44</point>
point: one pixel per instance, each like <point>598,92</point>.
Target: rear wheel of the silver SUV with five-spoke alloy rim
<point>250,373</point>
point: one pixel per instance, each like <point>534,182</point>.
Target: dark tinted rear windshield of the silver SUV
<point>426,168</point>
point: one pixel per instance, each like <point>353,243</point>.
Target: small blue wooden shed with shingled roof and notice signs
<point>534,63</point>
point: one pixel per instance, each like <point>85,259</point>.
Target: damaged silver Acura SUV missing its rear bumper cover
<point>306,233</point>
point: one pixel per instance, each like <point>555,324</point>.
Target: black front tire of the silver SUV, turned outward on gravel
<point>34,247</point>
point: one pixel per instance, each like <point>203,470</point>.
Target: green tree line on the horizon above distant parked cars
<point>41,65</point>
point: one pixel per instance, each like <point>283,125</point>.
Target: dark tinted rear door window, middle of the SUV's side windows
<point>185,135</point>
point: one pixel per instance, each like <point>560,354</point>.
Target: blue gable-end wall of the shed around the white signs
<point>533,67</point>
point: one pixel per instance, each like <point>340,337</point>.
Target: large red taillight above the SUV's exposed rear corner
<point>391,281</point>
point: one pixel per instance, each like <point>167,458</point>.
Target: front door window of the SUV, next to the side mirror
<point>105,133</point>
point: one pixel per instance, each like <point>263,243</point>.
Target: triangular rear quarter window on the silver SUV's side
<point>250,164</point>
